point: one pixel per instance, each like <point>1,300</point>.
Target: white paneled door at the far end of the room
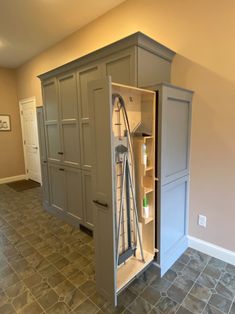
<point>30,139</point>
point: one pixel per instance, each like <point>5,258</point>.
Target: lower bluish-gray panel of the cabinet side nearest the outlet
<point>173,222</point>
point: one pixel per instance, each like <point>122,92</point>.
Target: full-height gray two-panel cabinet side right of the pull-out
<point>174,126</point>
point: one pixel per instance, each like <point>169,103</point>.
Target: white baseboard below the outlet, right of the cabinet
<point>212,250</point>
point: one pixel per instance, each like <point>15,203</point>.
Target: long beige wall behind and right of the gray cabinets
<point>202,34</point>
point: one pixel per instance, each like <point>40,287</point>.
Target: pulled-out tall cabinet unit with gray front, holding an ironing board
<point>116,263</point>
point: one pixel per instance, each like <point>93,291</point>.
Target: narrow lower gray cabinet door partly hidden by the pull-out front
<point>87,199</point>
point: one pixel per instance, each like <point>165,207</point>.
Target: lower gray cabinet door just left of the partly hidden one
<point>74,192</point>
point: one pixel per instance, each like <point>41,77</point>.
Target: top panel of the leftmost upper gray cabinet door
<point>50,99</point>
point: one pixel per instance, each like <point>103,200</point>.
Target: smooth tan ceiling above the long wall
<point>27,27</point>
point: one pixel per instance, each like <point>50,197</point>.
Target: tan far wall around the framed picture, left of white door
<point>11,156</point>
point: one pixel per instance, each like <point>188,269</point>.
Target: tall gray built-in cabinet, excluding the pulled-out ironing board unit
<point>138,61</point>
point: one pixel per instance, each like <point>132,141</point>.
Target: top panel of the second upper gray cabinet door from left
<point>68,96</point>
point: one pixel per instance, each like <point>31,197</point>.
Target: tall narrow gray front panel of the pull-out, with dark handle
<point>100,109</point>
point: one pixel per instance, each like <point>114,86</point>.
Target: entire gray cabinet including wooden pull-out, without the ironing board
<point>71,145</point>
